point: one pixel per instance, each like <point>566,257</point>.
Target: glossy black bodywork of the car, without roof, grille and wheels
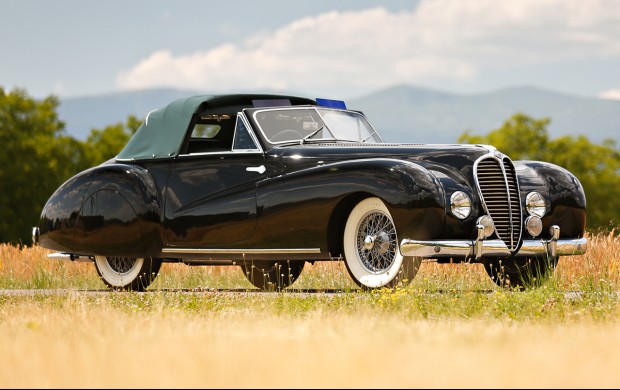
<point>301,200</point>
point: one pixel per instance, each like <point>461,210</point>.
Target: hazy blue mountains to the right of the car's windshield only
<point>409,114</point>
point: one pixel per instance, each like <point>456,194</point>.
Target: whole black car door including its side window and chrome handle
<point>211,190</point>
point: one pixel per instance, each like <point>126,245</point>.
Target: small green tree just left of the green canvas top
<point>104,144</point>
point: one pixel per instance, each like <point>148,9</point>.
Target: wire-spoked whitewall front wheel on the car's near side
<point>371,248</point>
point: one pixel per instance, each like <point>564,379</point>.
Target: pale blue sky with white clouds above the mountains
<point>338,49</point>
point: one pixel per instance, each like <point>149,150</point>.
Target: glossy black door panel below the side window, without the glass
<point>210,200</point>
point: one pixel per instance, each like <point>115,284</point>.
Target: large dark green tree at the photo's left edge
<point>37,157</point>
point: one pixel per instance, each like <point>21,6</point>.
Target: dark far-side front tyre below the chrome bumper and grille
<point>520,272</point>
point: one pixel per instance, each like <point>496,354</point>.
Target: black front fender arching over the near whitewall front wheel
<point>297,208</point>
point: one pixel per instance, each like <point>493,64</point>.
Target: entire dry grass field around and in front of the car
<point>197,327</point>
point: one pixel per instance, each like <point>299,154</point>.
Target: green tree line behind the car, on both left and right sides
<point>38,156</point>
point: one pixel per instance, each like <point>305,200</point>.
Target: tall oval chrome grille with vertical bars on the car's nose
<point>497,182</point>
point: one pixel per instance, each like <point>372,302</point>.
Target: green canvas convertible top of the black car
<point>163,130</point>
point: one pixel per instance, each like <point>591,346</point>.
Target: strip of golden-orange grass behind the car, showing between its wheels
<point>600,266</point>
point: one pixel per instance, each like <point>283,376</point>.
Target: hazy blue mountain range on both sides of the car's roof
<point>401,113</point>
